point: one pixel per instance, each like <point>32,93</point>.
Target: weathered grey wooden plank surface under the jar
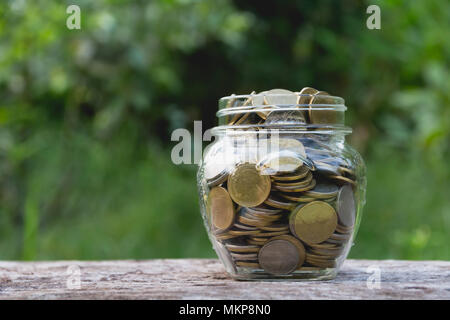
<point>206,279</point>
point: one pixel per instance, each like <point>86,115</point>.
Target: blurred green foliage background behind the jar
<point>86,116</point>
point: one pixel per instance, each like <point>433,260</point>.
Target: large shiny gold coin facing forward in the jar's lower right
<point>313,222</point>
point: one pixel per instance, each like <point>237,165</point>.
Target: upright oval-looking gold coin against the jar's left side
<point>221,208</point>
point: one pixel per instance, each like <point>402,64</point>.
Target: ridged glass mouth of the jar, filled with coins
<point>320,112</point>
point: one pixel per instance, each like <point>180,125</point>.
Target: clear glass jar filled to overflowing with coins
<point>281,192</point>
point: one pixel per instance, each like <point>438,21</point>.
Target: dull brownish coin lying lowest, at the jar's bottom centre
<point>279,257</point>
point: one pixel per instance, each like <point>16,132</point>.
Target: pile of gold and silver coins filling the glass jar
<point>292,210</point>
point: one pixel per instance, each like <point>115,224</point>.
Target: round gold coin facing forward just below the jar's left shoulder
<point>247,186</point>
